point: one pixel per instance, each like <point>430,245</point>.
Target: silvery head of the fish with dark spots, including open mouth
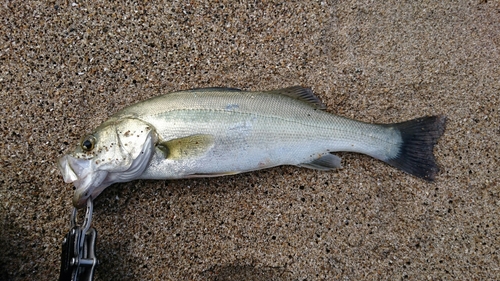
<point>119,150</point>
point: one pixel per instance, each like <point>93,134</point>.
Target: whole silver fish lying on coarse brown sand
<point>218,131</point>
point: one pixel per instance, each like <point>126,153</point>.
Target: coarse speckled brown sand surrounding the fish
<point>66,66</point>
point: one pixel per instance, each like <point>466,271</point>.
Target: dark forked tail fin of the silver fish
<point>416,155</point>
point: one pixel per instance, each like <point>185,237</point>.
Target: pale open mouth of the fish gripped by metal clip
<point>87,180</point>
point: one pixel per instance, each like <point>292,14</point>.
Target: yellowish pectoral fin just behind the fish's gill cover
<point>186,147</point>
